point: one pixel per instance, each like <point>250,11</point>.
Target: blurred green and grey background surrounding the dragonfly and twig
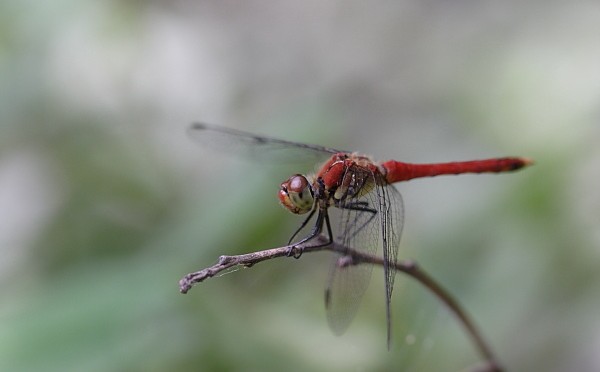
<point>105,201</point>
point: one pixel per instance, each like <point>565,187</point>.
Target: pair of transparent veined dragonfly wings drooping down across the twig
<point>370,220</point>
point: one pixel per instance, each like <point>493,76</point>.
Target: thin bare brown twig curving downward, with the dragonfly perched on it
<point>408,267</point>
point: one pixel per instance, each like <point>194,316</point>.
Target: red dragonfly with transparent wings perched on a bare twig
<point>370,211</point>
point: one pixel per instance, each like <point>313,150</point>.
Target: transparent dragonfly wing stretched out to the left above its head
<point>247,144</point>
